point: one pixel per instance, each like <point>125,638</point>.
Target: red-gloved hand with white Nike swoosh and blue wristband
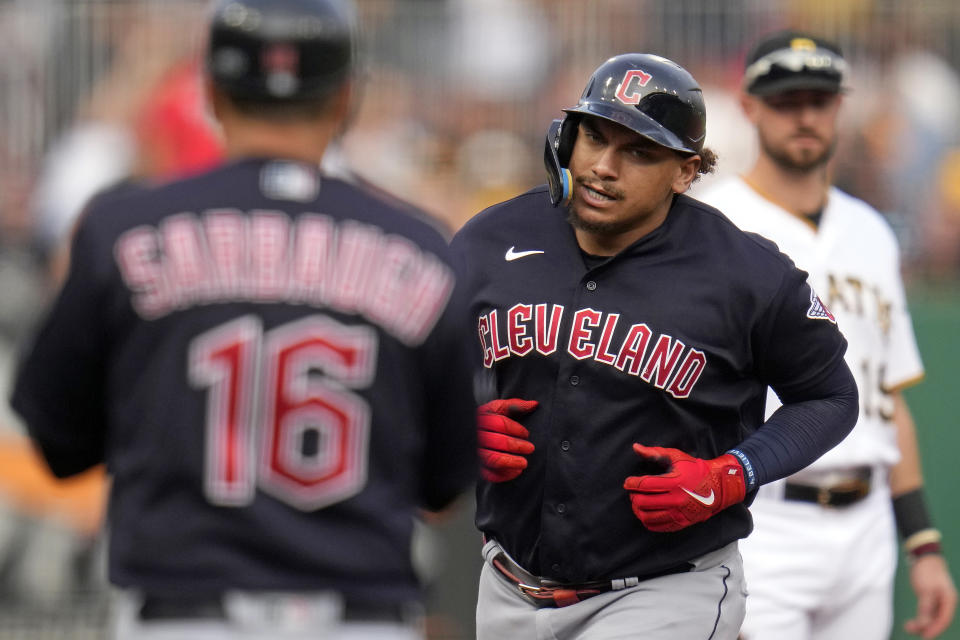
<point>689,491</point>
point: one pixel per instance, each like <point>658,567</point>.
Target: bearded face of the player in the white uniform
<point>796,129</point>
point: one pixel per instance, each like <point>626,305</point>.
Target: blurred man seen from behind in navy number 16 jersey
<point>269,361</point>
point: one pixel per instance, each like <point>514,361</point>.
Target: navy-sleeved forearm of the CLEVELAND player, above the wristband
<point>802,430</point>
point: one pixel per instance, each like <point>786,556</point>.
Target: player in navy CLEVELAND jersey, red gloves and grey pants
<point>629,333</point>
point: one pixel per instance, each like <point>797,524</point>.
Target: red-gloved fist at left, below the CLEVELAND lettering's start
<point>502,441</point>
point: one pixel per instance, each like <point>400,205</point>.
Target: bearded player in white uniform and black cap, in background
<point>821,559</point>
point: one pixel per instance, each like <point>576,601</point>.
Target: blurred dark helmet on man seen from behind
<point>280,49</point>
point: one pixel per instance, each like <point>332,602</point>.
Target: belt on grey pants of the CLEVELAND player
<point>542,592</point>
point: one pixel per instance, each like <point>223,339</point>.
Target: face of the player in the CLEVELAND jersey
<point>623,185</point>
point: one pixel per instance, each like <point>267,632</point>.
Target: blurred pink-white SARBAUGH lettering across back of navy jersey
<point>227,256</point>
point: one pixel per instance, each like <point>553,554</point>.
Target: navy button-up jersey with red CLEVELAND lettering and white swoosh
<point>670,343</point>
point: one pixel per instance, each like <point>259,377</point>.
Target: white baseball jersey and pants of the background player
<point>816,572</point>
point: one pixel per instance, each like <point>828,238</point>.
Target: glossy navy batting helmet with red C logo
<point>646,93</point>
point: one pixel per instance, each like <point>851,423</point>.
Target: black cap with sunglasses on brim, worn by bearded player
<point>791,60</point>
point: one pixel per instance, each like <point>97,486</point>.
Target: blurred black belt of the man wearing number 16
<point>212,608</point>
